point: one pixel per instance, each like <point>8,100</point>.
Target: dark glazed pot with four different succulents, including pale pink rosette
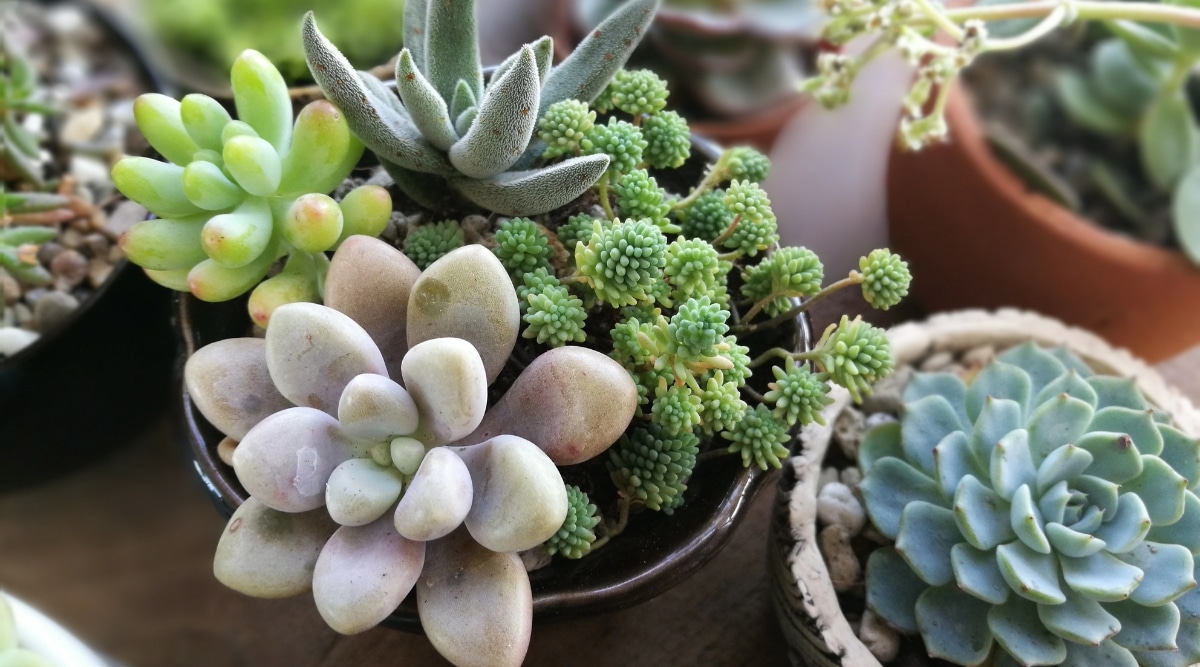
<point>443,422</point>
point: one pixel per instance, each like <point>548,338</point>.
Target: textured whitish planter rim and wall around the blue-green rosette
<point>814,626</point>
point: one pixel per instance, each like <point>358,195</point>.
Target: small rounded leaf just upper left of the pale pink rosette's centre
<point>376,408</point>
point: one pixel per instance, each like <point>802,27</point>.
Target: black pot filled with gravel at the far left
<point>100,378</point>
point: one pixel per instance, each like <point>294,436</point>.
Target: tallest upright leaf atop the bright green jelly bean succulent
<point>261,97</point>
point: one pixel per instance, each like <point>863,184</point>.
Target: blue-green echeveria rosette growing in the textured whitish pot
<point>1042,515</point>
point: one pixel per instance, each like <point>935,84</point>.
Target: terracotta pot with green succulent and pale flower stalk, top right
<point>1055,262</point>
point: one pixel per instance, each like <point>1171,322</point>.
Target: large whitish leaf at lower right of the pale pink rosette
<point>520,500</point>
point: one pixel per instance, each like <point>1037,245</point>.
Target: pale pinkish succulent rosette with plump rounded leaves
<point>352,492</point>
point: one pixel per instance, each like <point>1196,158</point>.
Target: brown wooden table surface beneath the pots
<point>122,555</point>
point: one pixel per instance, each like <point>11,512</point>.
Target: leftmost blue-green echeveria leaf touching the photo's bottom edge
<point>953,626</point>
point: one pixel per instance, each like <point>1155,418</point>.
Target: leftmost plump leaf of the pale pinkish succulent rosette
<point>231,386</point>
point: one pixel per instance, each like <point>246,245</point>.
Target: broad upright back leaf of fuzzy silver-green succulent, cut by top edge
<point>452,47</point>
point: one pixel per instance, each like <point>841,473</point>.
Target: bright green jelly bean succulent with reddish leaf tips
<point>235,196</point>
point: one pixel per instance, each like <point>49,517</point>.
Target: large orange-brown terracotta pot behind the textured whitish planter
<point>976,237</point>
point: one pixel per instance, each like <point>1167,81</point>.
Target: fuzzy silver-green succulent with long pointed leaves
<point>448,125</point>
